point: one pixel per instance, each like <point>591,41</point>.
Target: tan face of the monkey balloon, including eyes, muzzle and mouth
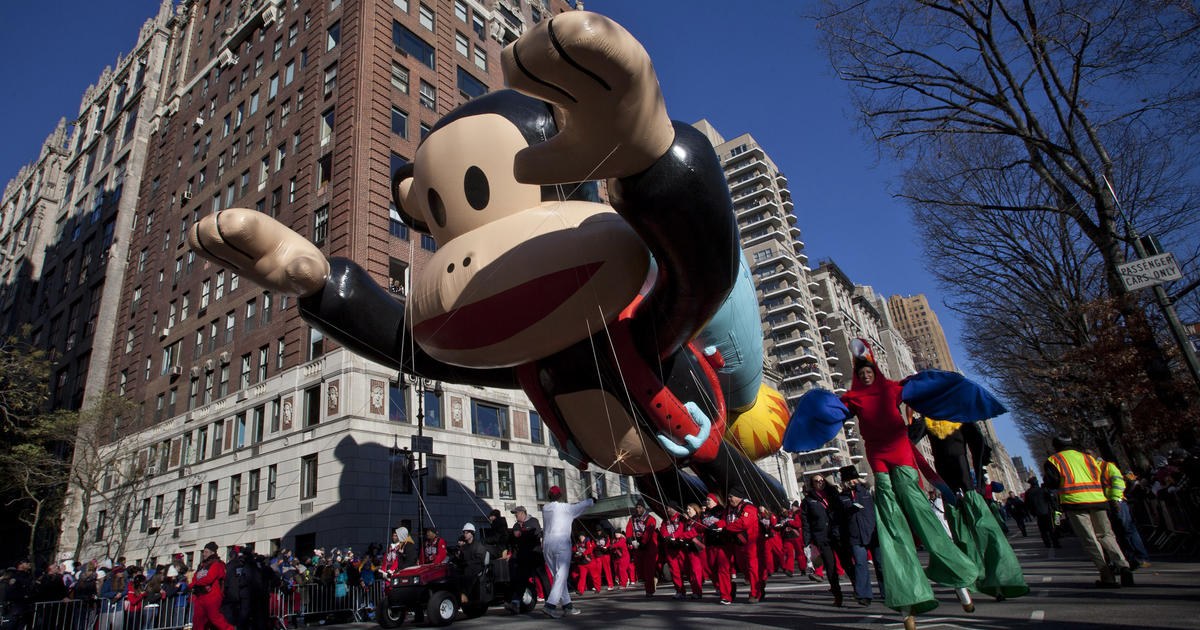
<point>515,279</point>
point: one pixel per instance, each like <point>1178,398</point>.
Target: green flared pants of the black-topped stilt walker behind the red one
<point>979,536</point>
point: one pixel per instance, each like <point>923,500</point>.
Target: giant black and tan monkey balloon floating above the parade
<point>603,315</point>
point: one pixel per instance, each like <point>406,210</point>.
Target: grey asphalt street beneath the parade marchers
<point>1063,597</point>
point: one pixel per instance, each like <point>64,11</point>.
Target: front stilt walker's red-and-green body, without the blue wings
<point>899,502</point>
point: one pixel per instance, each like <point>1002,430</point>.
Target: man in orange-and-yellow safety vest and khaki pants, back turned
<point>1077,478</point>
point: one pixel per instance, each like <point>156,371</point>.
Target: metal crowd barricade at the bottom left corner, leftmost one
<point>170,614</point>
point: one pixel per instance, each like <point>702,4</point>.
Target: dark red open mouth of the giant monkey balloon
<point>500,317</point>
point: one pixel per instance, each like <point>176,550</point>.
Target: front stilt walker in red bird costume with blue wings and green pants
<point>901,507</point>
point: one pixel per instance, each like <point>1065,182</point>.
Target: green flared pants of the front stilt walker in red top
<point>901,505</point>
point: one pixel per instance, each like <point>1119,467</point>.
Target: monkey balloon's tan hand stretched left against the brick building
<point>262,250</point>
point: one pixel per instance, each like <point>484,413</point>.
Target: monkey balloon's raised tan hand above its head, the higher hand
<point>615,123</point>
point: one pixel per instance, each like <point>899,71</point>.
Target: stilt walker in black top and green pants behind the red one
<point>959,451</point>
